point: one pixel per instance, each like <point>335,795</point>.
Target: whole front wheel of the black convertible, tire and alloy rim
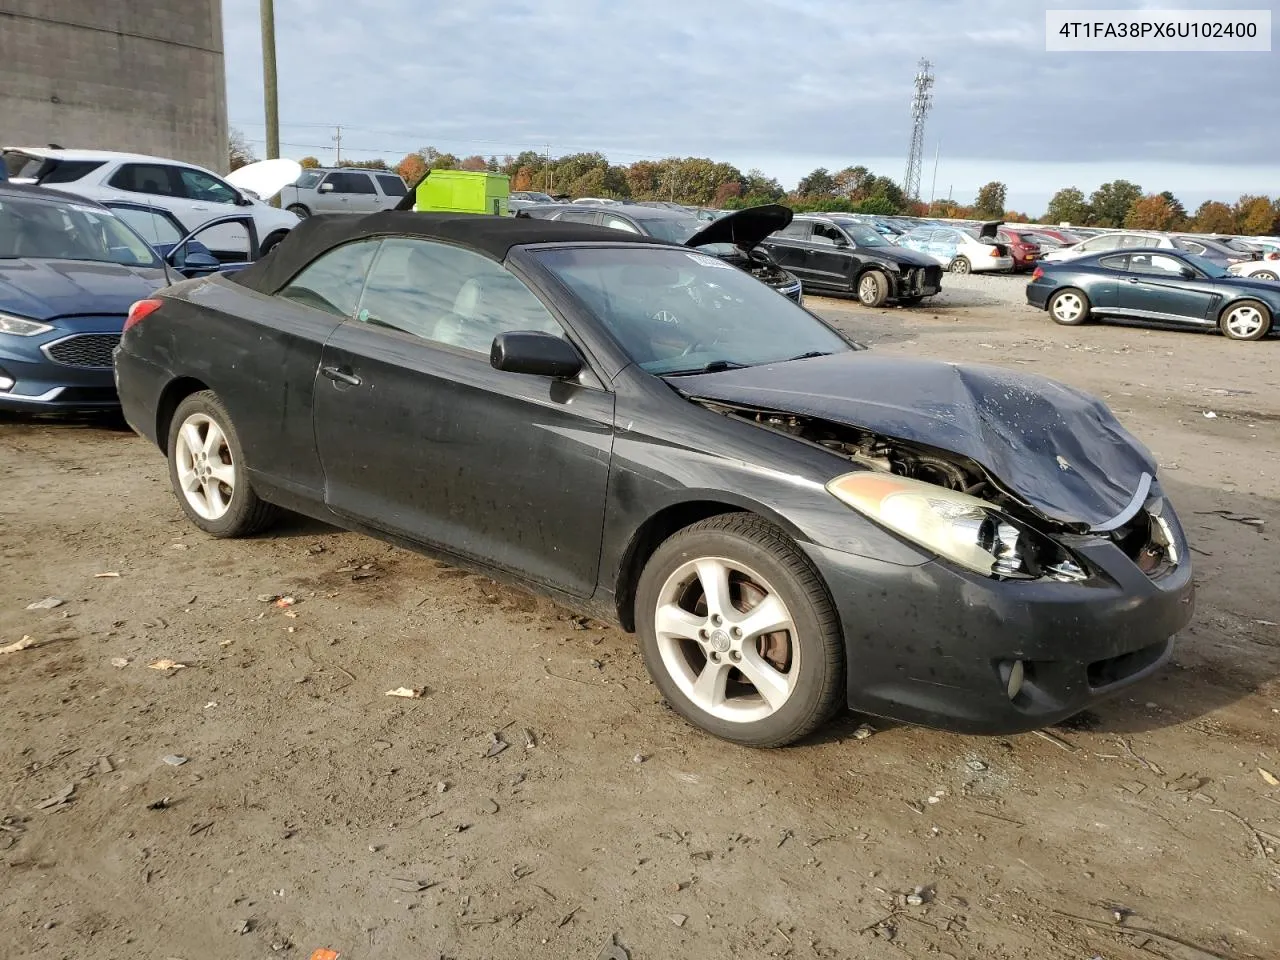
<point>739,633</point>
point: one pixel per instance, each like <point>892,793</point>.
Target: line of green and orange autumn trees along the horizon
<point>705,182</point>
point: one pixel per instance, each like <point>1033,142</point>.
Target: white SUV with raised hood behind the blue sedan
<point>191,194</point>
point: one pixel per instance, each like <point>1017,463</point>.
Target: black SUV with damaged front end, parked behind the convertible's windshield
<point>843,254</point>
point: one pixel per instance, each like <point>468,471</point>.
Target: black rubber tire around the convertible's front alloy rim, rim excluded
<point>816,648</point>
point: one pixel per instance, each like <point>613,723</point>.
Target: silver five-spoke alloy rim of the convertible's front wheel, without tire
<point>728,641</point>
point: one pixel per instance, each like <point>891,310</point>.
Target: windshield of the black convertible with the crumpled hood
<point>683,313</point>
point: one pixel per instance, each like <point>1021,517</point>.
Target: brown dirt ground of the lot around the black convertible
<point>316,812</point>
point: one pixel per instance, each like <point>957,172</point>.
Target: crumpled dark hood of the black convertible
<point>1055,447</point>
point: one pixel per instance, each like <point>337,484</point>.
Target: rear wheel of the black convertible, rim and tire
<point>207,469</point>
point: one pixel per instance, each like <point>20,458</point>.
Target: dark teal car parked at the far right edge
<point>1162,286</point>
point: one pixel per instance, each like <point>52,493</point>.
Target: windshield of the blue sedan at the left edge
<point>52,230</point>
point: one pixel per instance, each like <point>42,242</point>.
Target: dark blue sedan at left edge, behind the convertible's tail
<point>70,271</point>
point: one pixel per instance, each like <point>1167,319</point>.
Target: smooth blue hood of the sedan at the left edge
<point>43,290</point>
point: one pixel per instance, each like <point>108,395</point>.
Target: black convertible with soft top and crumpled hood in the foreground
<point>789,523</point>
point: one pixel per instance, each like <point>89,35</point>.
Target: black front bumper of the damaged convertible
<point>935,644</point>
